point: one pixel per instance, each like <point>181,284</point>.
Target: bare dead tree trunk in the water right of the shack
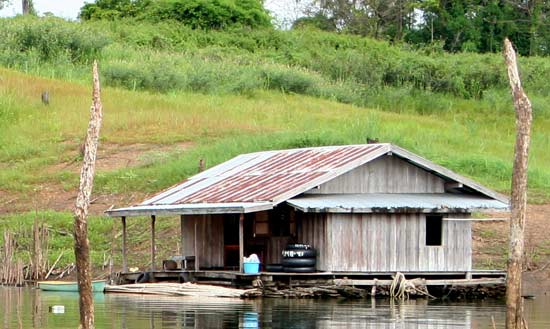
<point>514,302</point>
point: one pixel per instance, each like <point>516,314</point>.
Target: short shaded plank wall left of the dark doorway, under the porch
<point>210,248</point>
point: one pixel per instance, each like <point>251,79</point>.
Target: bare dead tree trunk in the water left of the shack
<point>82,248</point>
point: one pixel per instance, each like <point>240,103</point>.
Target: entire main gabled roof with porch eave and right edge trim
<point>271,177</point>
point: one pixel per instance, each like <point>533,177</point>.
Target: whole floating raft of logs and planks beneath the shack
<point>475,284</point>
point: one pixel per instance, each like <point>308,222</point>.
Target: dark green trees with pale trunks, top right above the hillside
<point>459,25</point>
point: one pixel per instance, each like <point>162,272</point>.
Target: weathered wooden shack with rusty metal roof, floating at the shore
<point>364,208</point>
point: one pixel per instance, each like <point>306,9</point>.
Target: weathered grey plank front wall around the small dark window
<point>385,243</point>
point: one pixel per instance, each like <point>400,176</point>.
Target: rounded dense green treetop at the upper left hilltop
<point>204,14</point>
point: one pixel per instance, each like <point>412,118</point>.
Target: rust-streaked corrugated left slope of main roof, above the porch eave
<point>268,176</point>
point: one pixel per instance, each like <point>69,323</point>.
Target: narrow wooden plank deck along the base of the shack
<point>242,280</point>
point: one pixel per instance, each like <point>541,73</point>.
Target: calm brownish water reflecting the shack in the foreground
<point>32,308</point>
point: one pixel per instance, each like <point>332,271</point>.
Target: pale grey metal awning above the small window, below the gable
<point>399,202</point>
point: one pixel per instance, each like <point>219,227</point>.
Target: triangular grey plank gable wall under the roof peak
<point>387,174</point>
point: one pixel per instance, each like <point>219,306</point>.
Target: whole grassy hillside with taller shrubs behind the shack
<point>224,93</point>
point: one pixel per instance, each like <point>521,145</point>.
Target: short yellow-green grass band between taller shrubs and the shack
<point>468,138</point>
